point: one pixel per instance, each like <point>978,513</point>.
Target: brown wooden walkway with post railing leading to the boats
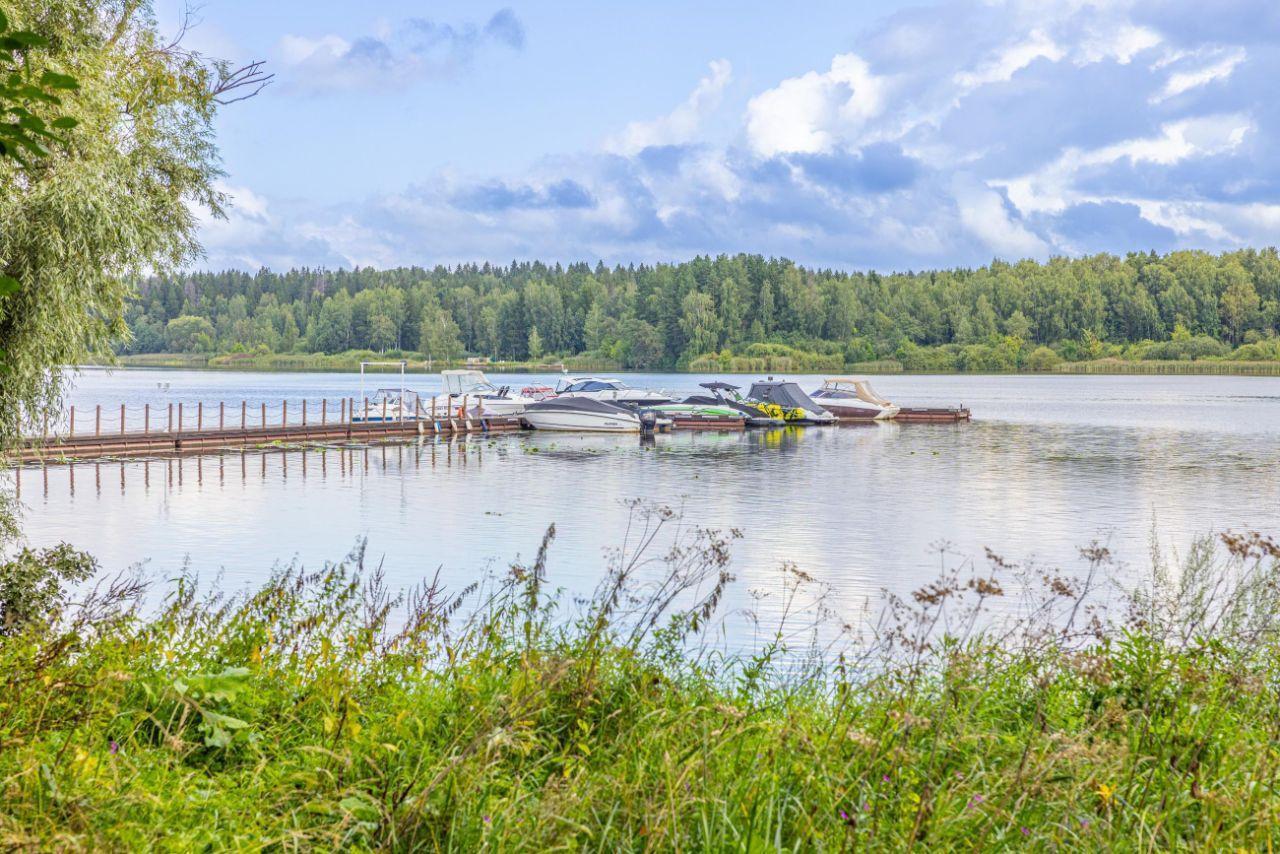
<point>185,428</point>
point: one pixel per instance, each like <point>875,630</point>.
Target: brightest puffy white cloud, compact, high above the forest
<point>810,115</point>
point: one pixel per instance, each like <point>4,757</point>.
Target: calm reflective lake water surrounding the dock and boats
<point>1048,465</point>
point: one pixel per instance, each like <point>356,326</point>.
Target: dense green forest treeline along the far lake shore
<point>1183,305</point>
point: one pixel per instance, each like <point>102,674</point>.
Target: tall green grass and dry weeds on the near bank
<point>321,711</point>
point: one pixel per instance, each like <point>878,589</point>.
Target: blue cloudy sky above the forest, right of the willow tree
<point>872,135</point>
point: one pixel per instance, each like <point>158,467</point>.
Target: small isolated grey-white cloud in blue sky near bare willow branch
<point>417,49</point>
